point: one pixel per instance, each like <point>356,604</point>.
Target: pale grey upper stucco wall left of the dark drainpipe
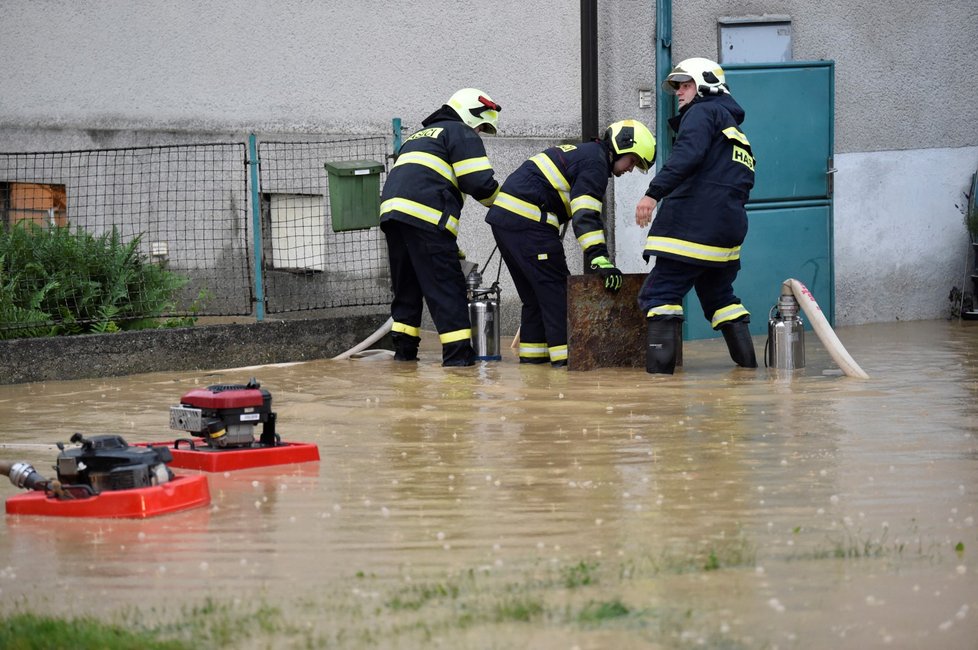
<point>301,66</point>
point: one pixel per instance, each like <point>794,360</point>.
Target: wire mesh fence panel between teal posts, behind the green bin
<point>311,259</point>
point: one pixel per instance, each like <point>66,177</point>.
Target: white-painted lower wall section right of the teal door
<point>900,240</point>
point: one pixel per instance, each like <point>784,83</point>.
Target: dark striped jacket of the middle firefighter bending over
<point>562,183</point>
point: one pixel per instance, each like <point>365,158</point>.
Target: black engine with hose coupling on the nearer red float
<point>104,463</point>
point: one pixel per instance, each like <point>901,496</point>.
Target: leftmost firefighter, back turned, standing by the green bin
<point>420,208</point>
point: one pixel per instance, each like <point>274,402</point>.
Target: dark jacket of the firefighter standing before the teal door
<point>703,187</point>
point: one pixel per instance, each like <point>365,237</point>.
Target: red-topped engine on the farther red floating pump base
<point>225,415</point>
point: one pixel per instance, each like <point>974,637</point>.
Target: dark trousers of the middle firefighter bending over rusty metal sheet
<point>536,262</point>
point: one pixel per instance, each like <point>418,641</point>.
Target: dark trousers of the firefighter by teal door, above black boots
<point>669,281</point>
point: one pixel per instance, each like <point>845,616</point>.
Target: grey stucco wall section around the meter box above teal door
<point>899,81</point>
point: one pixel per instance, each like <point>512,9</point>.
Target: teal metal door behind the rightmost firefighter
<point>790,113</point>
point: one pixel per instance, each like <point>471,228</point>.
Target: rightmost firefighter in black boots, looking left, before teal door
<point>701,192</point>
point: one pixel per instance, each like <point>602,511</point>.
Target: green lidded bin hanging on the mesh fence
<point>354,193</point>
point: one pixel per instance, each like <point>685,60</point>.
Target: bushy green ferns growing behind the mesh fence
<point>55,282</point>
